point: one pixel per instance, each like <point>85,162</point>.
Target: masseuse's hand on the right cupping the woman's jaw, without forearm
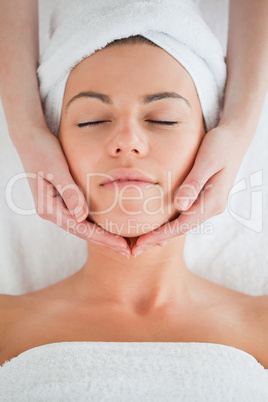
<point>204,192</point>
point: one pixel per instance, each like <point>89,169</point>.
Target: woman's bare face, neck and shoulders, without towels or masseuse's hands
<point>114,299</point>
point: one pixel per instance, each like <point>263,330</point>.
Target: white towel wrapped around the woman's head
<point>85,26</point>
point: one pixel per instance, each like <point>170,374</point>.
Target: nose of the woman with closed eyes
<point>128,140</point>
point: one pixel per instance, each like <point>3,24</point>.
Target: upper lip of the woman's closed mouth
<point>125,175</point>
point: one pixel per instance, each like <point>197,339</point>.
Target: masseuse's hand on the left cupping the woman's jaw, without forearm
<point>56,196</point>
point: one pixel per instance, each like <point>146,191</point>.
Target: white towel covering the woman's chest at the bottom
<point>136,371</point>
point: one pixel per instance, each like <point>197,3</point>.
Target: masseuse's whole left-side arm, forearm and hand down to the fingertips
<point>53,187</point>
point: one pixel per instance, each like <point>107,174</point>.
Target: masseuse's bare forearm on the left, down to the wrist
<point>19,53</point>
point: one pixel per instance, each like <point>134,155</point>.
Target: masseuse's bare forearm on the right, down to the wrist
<point>247,61</point>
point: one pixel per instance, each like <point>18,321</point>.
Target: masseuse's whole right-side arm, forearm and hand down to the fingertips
<point>223,148</point>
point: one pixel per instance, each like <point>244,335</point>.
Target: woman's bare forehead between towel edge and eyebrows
<point>129,71</point>
